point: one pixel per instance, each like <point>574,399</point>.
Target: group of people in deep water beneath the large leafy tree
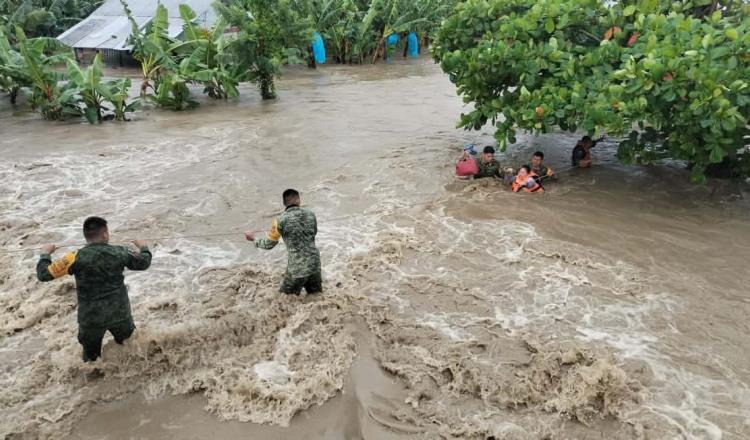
<point>528,178</point>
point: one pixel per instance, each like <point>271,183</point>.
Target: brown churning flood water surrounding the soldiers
<point>613,306</point>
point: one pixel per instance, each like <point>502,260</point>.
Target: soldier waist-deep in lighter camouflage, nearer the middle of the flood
<point>298,227</point>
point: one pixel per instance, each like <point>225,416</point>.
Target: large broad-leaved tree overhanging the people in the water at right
<point>671,77</point>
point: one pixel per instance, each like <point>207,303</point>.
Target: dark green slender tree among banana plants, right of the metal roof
<point>270,34</point>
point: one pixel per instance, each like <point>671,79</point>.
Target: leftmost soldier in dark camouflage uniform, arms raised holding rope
<point>103,303</point>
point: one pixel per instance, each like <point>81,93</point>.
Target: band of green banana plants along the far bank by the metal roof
<point>249,42</point>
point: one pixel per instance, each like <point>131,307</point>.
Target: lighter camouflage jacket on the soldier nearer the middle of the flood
<point>298,227</point>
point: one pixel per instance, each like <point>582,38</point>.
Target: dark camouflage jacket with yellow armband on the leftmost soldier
<point>97,268</point>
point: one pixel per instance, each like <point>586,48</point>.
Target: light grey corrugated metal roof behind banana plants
<point>108,27</point>
